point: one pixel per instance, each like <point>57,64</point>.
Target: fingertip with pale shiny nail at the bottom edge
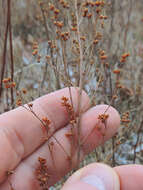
<point>95,176</point>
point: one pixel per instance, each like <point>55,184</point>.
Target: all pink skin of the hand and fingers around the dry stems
<point>22,141</point>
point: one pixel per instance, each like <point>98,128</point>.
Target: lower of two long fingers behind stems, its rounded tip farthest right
<point>57,163</point>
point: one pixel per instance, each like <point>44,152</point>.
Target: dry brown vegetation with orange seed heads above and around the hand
<point>44,43</point>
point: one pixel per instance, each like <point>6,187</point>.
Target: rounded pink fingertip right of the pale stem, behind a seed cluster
<point>95,132</point>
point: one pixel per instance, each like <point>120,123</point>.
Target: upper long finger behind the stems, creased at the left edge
<point>20,130</point>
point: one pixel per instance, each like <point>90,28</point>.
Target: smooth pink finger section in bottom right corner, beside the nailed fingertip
<point>131,177</point>
